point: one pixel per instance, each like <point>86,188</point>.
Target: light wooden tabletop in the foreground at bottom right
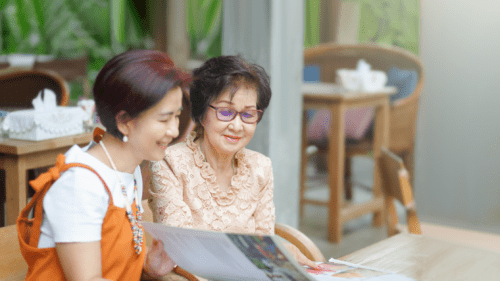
<point>425,258</point>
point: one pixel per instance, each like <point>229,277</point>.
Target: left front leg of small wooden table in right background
<point>336,151</point>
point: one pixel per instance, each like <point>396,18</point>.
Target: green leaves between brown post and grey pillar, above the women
<point>204,24</point>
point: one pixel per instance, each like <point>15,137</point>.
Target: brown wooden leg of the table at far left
<point>15,187</point>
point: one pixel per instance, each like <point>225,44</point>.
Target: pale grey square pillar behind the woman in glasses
<point>271,34</point>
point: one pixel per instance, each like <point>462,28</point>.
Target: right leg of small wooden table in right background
<point>380,138</point>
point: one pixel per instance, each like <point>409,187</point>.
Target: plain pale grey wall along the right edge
<point>457,171</point>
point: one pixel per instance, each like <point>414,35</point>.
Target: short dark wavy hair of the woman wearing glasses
<point>219,74</point>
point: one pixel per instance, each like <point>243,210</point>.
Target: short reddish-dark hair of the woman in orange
<point>134,81</point>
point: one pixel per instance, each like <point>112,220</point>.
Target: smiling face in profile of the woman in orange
<point>152,131</point>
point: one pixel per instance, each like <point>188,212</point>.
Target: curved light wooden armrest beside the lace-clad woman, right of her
<point>300,240</point>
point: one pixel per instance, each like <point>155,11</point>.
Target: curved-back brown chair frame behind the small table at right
<point>403,111</point>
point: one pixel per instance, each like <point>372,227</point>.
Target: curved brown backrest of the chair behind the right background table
<point>403,115</point>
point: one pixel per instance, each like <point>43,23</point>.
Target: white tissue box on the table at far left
<point>35,125</point>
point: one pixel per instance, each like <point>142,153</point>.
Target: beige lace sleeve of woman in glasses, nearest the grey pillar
<point>264,214</point>
